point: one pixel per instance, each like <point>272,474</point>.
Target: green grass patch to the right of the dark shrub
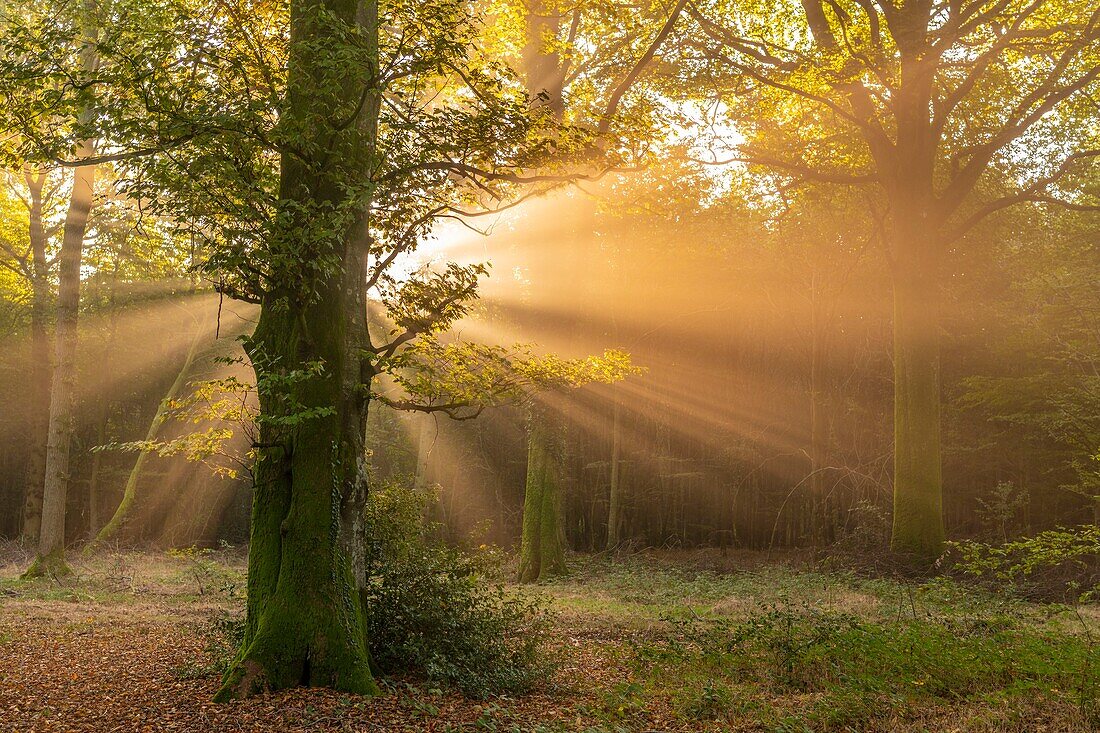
<point>788,648</point>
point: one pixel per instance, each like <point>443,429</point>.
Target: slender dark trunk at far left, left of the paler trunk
<point>40,359</point>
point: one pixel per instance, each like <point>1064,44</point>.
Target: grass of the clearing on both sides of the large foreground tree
<point>666,642</point>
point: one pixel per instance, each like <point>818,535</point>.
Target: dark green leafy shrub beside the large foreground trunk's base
<point>432,611</point>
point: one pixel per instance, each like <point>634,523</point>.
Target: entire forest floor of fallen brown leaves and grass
<point>657,642</point>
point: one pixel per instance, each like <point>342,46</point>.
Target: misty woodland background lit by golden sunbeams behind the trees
<point>763,419</point>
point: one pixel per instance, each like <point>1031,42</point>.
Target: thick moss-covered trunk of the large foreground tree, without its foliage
<point>306,564</point>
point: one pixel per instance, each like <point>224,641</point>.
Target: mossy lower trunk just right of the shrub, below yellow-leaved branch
<point>542,551</point>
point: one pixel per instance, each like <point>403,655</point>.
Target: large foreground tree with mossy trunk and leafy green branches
<point>366,165</point>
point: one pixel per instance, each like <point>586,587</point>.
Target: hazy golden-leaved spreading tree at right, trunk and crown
<point>928,106</point>
